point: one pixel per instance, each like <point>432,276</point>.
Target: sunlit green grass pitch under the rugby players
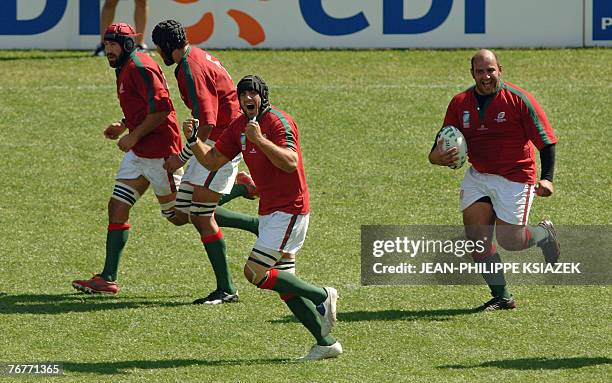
<point>367,120</point>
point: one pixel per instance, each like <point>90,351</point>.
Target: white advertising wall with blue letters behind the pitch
<point>74,24</point>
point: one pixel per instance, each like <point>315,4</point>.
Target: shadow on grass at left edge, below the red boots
<point>63,303</point>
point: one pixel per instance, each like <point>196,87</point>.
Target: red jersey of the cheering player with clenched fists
<point>278,190</point>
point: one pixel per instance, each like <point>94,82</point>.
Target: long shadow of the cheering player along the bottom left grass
<point>121,367</point>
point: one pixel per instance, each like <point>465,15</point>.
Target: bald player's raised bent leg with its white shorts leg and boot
<point>512,206</point>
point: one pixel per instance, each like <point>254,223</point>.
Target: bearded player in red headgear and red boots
<point>152,135</point>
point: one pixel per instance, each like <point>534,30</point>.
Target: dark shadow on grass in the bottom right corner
<point>536,363</point>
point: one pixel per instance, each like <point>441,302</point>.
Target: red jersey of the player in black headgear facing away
<point>207,89</point>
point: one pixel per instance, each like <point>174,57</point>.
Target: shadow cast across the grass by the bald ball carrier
<point>392,315</point>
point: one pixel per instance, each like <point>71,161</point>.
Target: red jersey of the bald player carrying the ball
<point>501,135</point>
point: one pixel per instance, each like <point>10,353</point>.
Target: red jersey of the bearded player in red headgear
<point>142,89</point>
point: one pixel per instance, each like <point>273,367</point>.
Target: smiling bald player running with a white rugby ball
<point>501,124</point>
